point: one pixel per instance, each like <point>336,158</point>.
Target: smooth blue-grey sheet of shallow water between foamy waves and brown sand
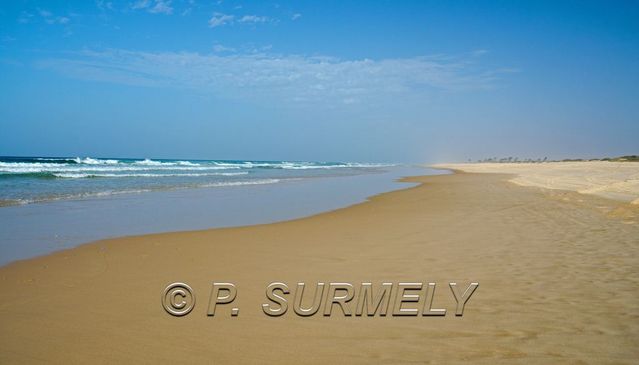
<point>37,229</point>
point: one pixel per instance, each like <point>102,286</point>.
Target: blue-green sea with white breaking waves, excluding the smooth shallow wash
<point>25,180</point>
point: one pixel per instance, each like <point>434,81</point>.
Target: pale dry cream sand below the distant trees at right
<point>613,180</point>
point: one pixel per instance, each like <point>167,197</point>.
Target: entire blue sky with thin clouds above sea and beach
<point>375,81</point>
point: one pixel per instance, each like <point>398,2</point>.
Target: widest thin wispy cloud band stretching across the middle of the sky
<point>280,78</point>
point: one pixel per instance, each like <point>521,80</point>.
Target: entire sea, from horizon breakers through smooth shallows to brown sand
<point>51,204</point>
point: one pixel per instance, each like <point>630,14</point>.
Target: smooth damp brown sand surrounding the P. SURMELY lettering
<point>558,274</point>
